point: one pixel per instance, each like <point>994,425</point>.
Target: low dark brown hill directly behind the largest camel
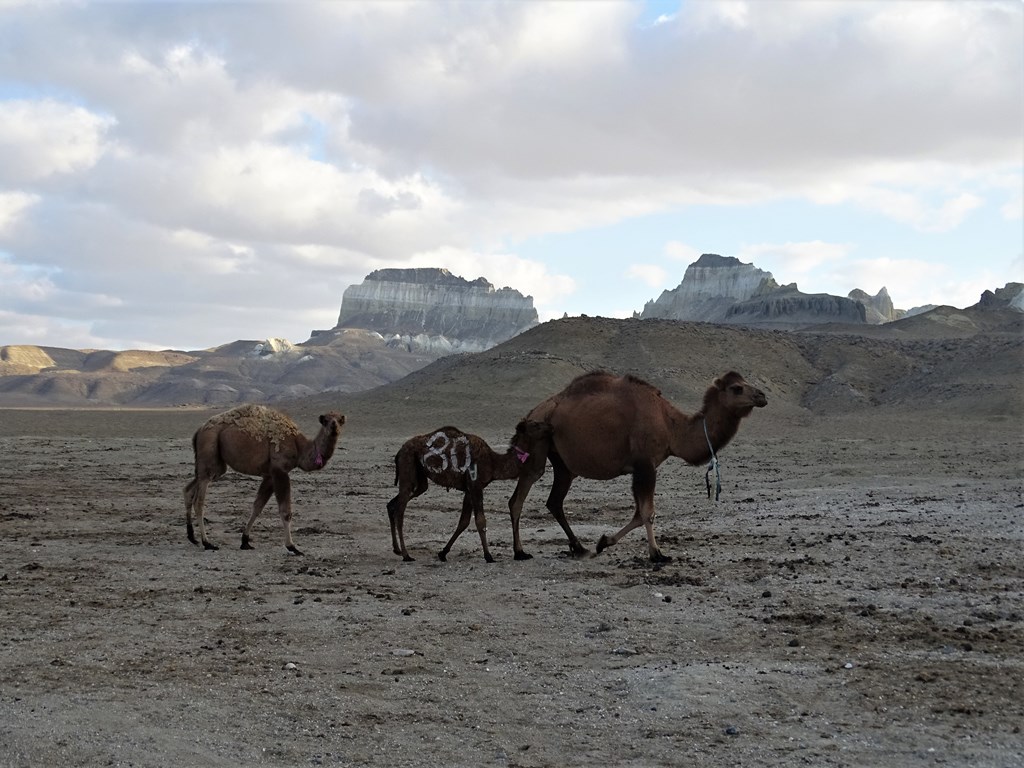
<point>927,363</point>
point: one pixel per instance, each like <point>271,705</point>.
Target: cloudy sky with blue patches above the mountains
<point>186,175</point>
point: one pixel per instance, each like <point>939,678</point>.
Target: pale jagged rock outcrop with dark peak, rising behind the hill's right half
<point>722,289</point>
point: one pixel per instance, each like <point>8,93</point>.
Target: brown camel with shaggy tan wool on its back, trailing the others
<point>257,441</point>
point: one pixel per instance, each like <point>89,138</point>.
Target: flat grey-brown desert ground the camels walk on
<point>856,599</point>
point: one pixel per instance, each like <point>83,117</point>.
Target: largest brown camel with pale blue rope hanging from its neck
<point>605,426</point>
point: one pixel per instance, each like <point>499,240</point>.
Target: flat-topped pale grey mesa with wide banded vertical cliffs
<point>435,310</point>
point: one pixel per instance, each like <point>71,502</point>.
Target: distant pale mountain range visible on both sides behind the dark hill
<point>399,321</point>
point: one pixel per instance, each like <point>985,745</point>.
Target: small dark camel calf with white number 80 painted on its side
<point>454,459</point>
